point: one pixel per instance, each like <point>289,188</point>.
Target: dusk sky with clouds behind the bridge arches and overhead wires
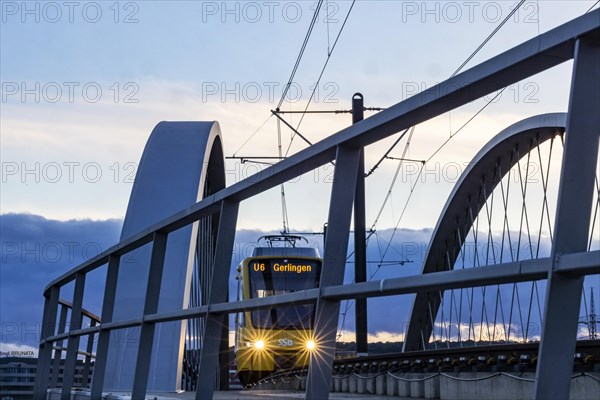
<point>84,83</point>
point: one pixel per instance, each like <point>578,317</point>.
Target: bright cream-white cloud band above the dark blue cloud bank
<point>59,158</point>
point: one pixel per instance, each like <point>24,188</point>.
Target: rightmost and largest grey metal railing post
<point>572,224</point>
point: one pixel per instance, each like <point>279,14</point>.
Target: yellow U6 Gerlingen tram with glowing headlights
<point>278,338</point>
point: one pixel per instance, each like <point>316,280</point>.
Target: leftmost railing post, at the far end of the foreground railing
<point>45,351</point>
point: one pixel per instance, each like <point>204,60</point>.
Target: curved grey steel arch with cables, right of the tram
<point>444,247</point>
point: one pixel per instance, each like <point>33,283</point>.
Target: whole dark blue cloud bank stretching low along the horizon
<point>36,250</point>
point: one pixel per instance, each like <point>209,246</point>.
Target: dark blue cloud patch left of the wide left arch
<point>36,250</point>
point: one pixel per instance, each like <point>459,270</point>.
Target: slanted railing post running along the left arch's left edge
<point>108,305</point>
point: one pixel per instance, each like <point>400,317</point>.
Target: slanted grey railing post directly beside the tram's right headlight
<point>336,247</point>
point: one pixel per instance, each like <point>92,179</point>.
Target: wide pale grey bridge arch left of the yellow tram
<point>182,163</point>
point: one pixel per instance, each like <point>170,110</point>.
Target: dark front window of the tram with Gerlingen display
<point>269,277</point>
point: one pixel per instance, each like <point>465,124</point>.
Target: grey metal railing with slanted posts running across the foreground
<point>532,57</point>
